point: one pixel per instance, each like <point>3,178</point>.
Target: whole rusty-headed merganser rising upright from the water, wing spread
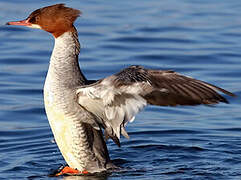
<point>83,114</point>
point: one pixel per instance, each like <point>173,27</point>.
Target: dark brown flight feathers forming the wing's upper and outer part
<point>168,88</point>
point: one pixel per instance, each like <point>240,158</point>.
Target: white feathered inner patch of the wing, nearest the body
<point>115,107</point>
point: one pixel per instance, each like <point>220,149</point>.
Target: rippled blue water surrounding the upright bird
<point>199,38</point>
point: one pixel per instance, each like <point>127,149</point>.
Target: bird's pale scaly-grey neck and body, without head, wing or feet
<point>68,120</point>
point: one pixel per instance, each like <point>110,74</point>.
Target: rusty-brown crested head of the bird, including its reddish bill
<point>55,19</point>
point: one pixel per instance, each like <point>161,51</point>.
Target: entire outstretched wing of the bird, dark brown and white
<point>116,99</point>
